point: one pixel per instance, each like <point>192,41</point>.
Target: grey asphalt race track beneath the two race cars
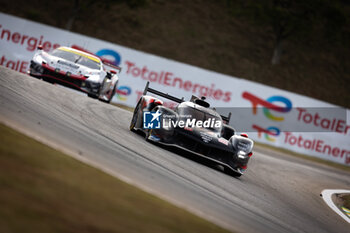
<point>279,193</point>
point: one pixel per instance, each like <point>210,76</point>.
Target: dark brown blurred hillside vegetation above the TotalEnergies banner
<point>297,45</point>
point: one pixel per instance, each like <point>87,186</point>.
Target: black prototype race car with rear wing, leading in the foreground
<point>192,126</point>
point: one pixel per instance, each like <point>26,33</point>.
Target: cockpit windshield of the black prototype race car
<point>193,113</point>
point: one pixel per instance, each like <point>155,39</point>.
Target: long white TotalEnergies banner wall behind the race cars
<point>270,115</point>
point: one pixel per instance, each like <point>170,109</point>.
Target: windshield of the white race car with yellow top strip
<point>76,58</point>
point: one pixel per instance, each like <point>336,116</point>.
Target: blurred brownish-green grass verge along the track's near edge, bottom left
<point>43,190</point>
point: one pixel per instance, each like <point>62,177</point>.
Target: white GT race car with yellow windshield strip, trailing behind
<point>76,69</point>
